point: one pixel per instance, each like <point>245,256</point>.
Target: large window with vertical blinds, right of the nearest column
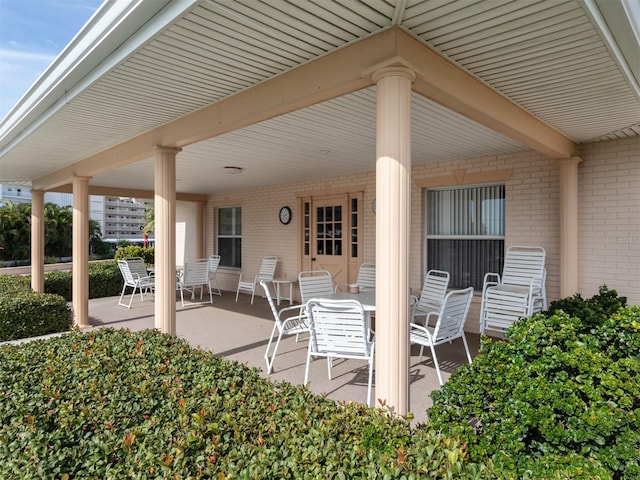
<point>465,232</point>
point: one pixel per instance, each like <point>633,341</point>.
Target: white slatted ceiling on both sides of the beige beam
<point>555,58</point>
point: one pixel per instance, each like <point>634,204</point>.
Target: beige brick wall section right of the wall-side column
<point>609,218</point>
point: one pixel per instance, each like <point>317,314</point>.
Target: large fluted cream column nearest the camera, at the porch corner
<point>393,199</point>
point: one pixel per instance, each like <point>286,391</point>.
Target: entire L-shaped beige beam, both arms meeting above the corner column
<point>338,73</point>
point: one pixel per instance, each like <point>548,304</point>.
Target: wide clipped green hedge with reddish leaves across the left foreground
<point>113,404</point>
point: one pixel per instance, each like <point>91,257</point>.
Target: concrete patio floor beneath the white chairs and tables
<point>240,331</point>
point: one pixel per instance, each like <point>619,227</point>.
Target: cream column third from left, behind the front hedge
<point>165,237</point>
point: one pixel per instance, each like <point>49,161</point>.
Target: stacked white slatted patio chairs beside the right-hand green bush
<point>518,293</point>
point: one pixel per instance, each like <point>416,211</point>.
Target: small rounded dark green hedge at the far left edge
<point>27,314</point>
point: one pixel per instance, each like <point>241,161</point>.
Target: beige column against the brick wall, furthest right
<point>569,251</point>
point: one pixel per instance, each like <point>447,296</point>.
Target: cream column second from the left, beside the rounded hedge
<point>80,269</point>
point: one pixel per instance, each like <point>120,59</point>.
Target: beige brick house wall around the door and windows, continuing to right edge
<point>609,215</point>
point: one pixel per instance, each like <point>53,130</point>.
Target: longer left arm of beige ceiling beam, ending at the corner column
<point>330,76</point>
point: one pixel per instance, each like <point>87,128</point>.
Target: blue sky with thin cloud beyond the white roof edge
<point>32,34</point>
